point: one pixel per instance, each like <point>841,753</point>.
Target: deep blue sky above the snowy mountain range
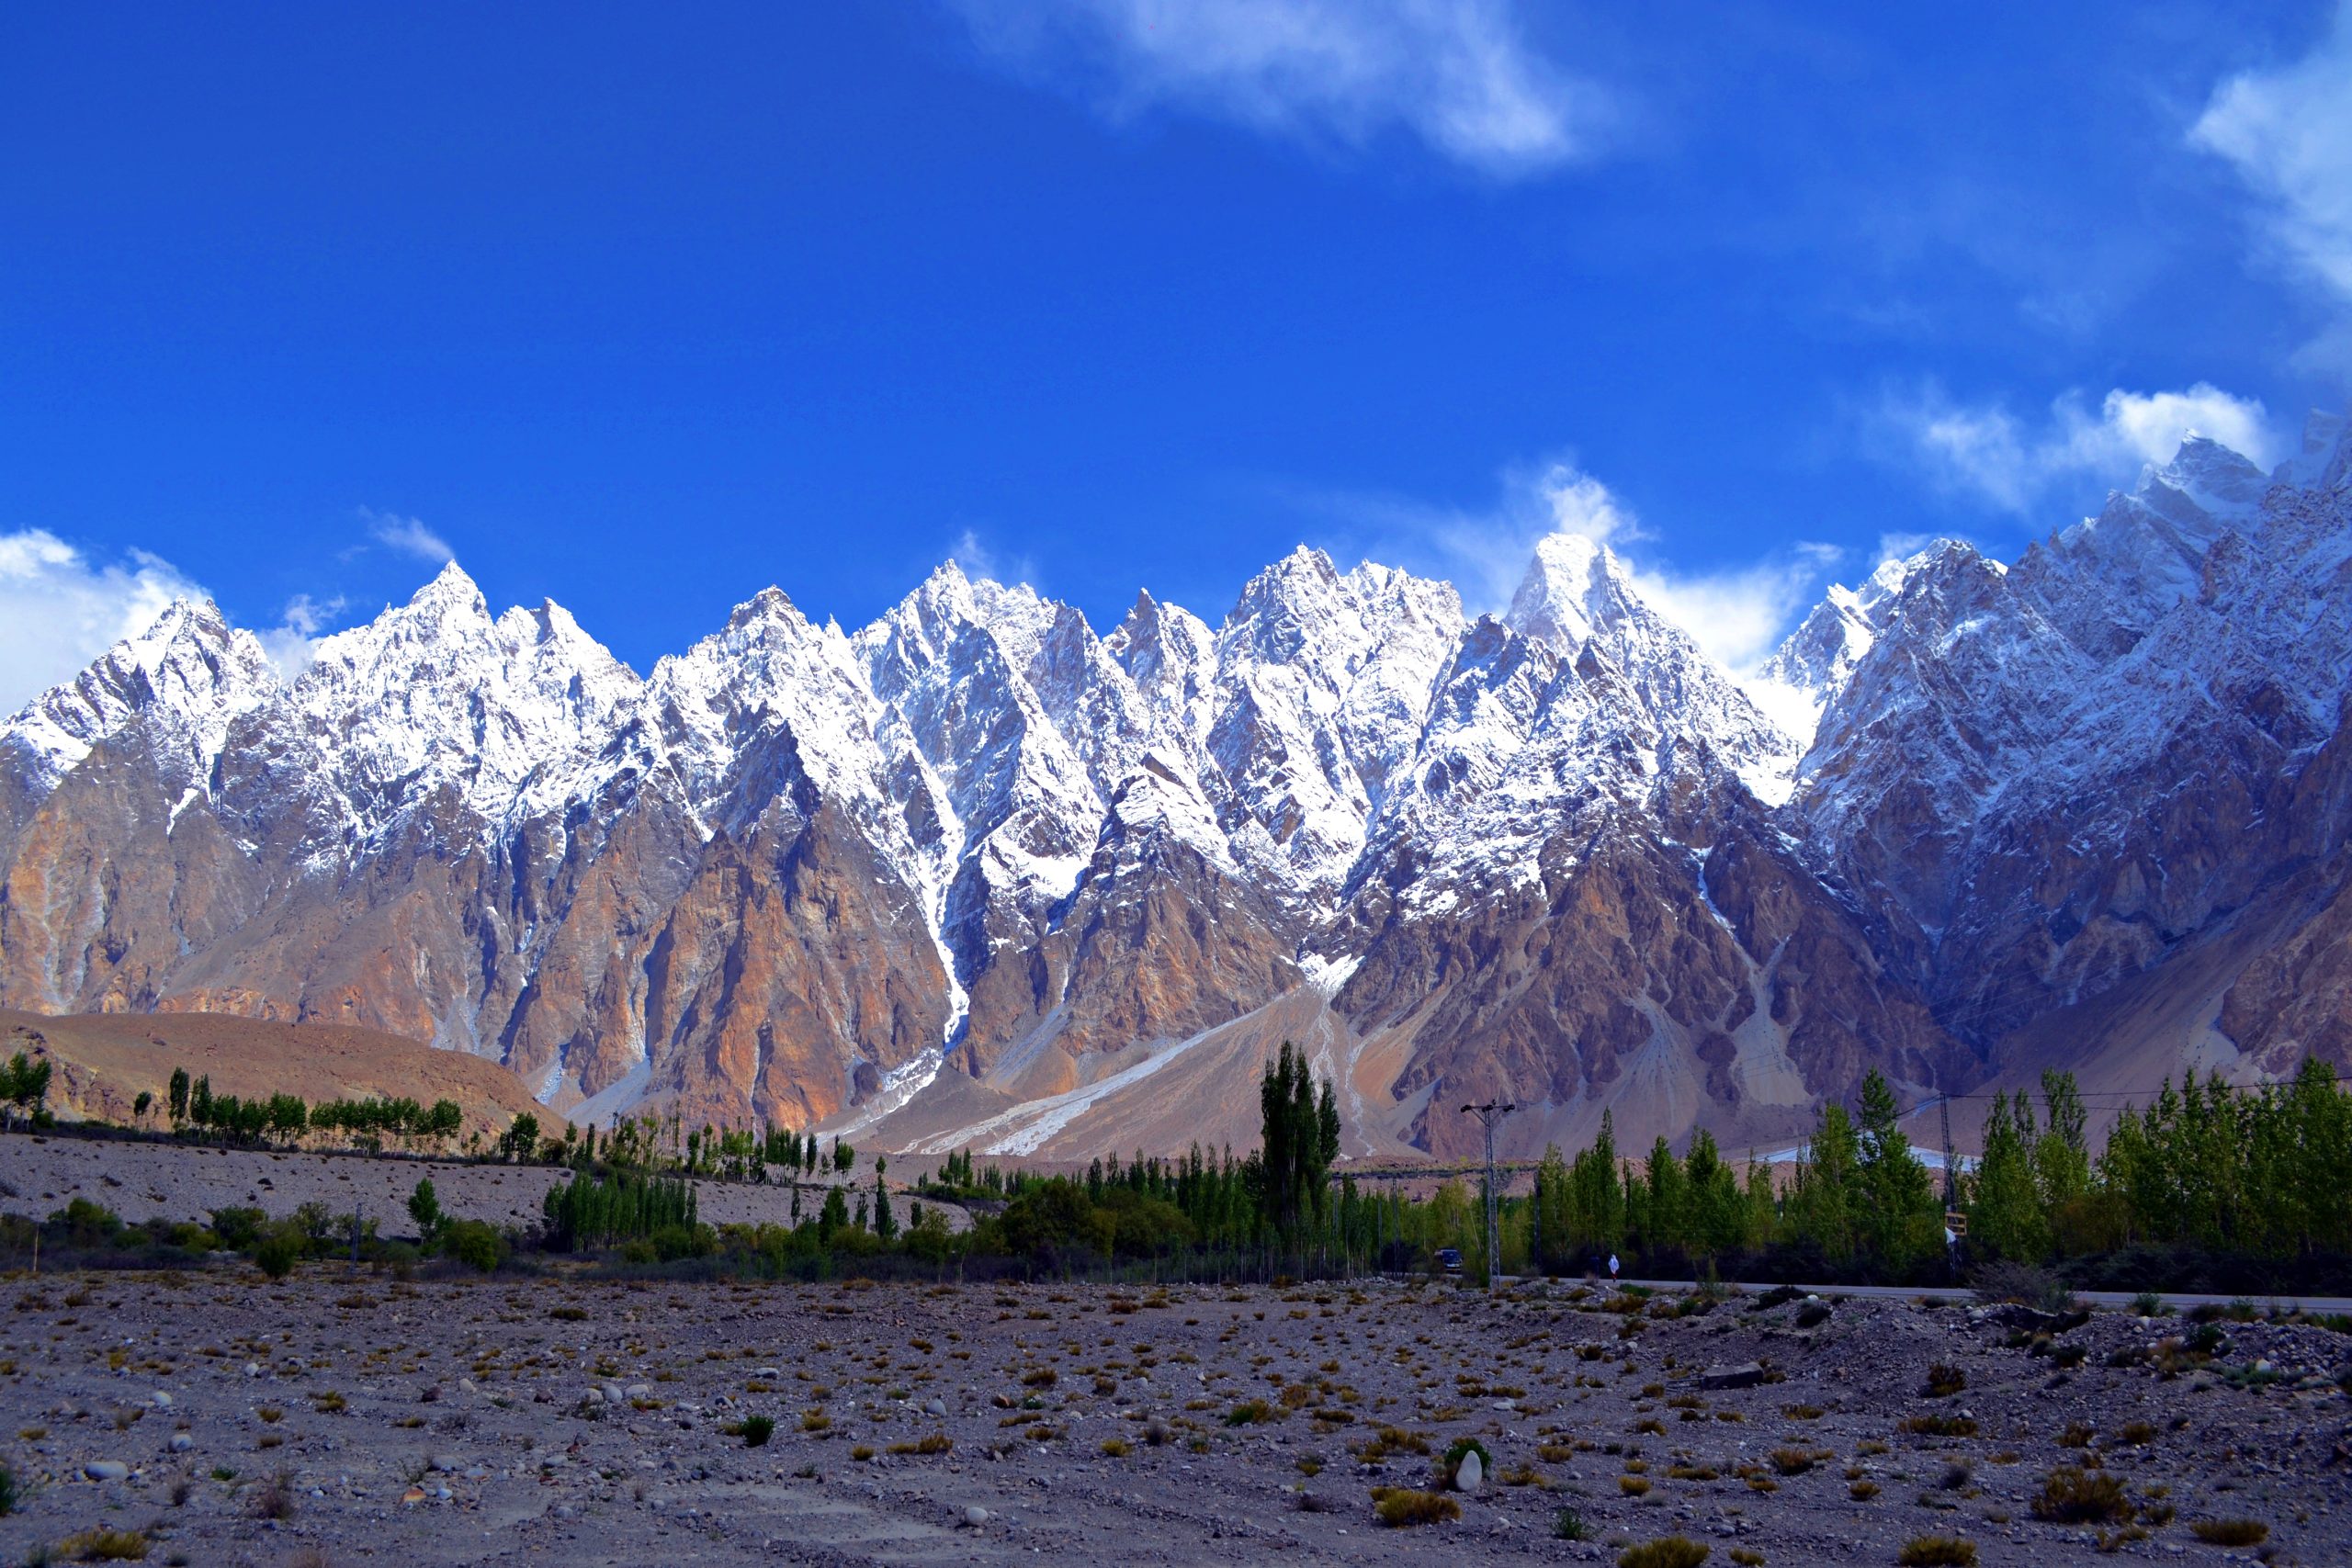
<point>650,307</point>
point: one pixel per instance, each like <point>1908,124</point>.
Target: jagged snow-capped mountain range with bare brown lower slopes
<point>980,873</point>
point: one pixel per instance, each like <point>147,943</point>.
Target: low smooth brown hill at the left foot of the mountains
<point>107,1059</point>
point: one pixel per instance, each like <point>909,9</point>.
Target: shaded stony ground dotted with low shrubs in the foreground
<point>352,1416</point>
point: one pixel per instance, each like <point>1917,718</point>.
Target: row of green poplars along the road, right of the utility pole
<point>2243,1172</point>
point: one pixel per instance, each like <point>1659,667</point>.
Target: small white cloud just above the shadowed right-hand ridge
<point>1991,453</point>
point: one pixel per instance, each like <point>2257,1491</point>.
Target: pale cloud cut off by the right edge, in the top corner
<point>2290,135</point>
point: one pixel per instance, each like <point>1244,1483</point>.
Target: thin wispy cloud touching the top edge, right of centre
<point>1457,74</point>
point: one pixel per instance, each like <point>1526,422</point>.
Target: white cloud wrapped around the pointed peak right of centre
<point>1739,615</point>
